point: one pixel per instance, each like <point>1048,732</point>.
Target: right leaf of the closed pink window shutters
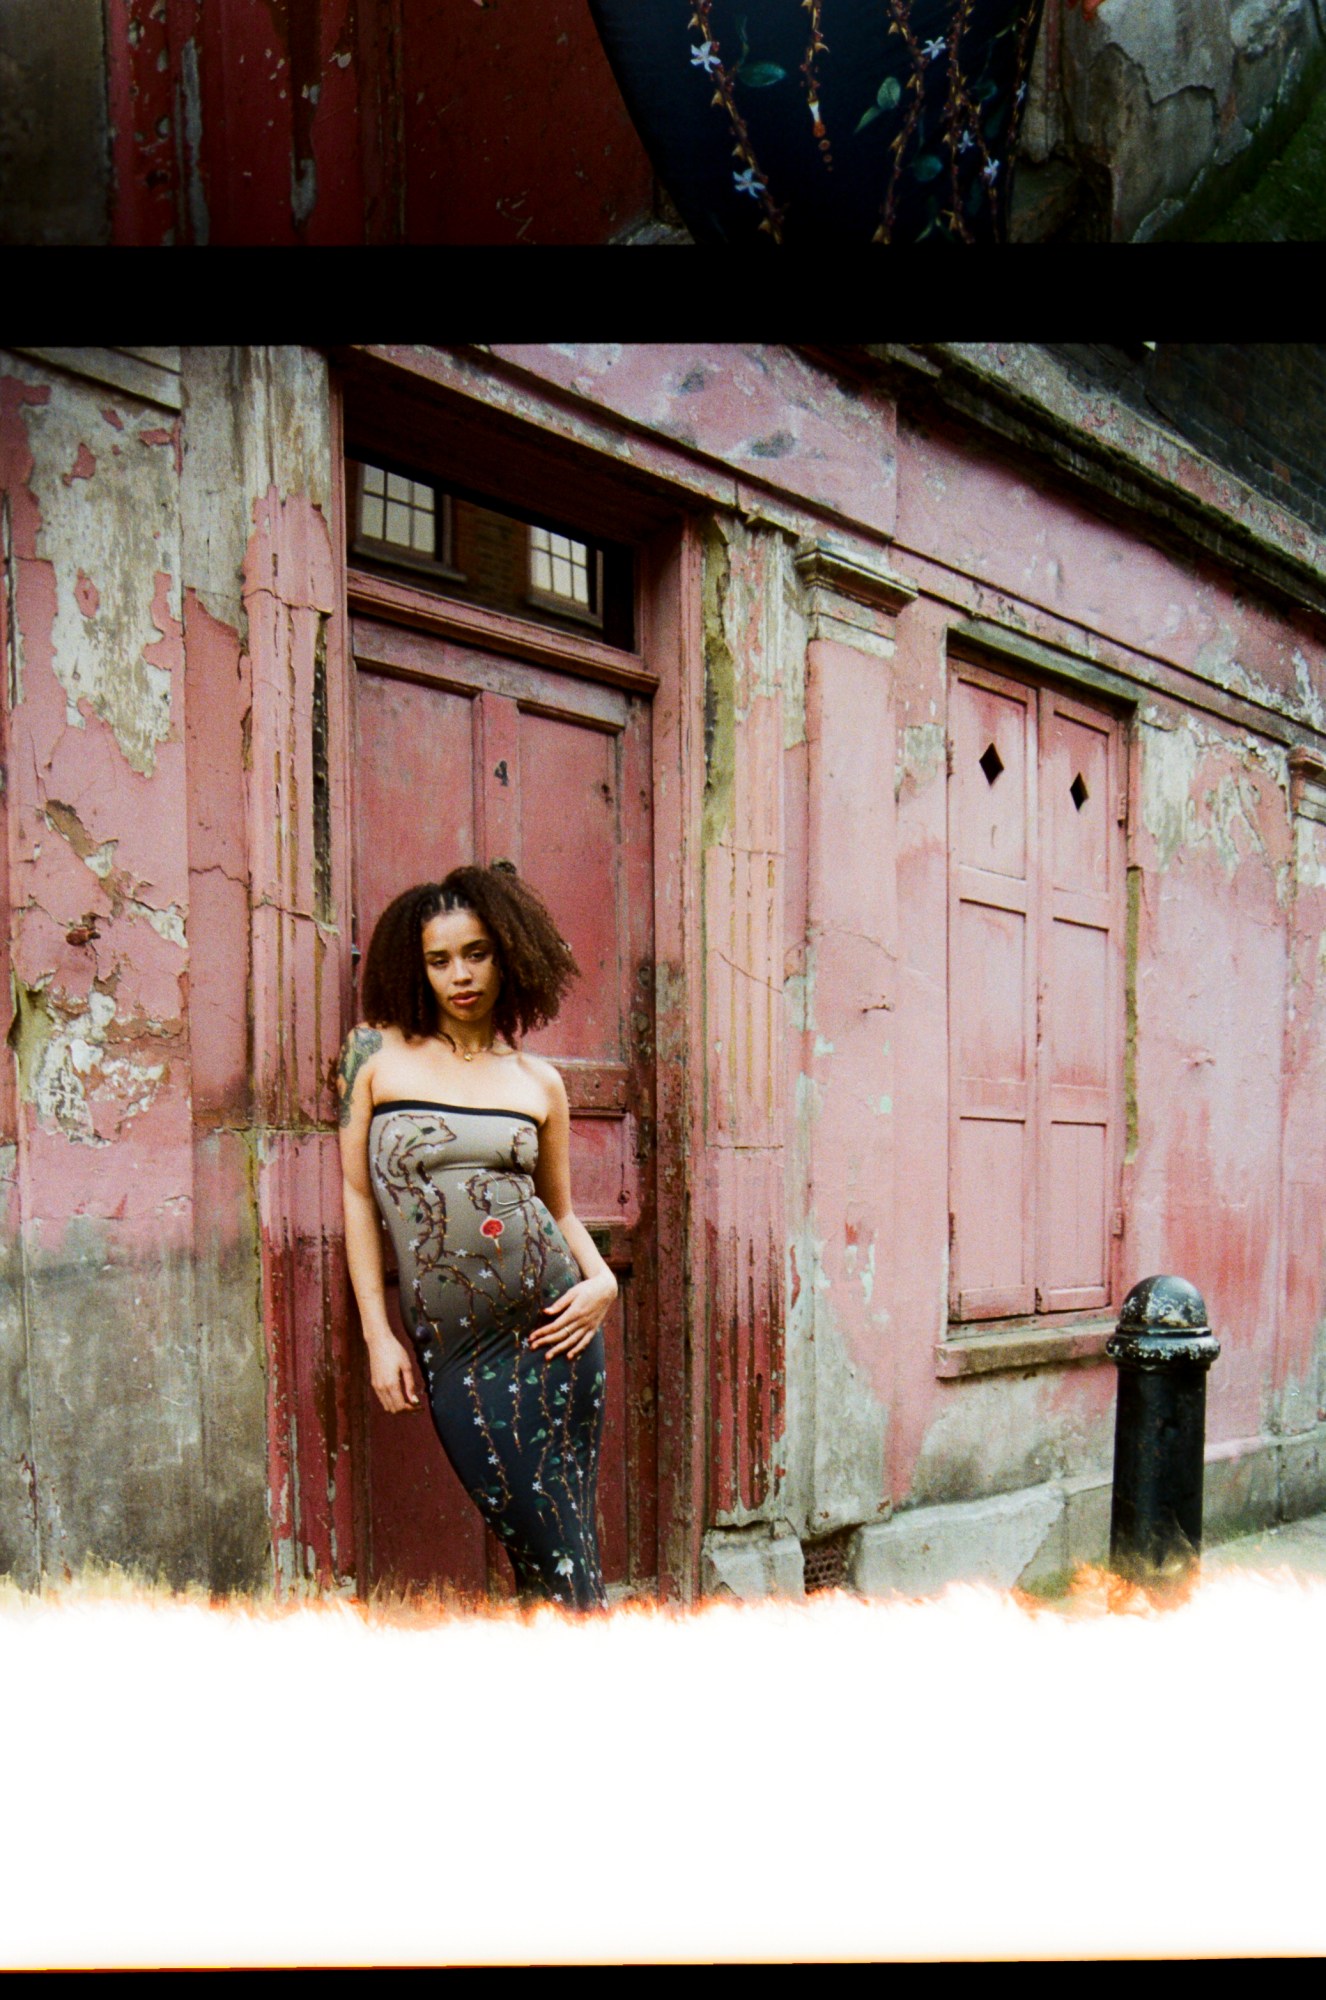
<point>1081,971</point>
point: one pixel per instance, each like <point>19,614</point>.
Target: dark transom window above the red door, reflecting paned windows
<point>403,521</point>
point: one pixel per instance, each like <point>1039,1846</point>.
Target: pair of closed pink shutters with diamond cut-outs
<point>1037,1003</point>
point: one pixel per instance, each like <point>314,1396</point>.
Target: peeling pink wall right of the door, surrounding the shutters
<point>989,1461</point>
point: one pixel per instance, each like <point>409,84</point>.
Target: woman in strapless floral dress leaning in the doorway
<point>463,1143</point>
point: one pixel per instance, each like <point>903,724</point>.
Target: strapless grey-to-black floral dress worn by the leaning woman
<point>479,1261</point>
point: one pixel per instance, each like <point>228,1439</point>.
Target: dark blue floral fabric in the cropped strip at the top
<point>827,123</point>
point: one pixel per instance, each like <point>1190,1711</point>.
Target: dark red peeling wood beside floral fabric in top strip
<point>367,121</point>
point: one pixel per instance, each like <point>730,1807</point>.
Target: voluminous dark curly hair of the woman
<point>535,959</point>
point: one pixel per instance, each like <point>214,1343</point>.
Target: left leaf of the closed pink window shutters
<point>993,995</point>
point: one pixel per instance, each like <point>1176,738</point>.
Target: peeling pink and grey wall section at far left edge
<point>99,973</point>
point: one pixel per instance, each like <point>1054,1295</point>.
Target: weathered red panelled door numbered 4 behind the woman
<point>465,755</point>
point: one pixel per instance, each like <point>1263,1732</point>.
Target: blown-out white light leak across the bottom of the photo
<point>963,1777</point>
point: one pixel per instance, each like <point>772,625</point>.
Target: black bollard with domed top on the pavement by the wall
<point>1163,1349</point>
